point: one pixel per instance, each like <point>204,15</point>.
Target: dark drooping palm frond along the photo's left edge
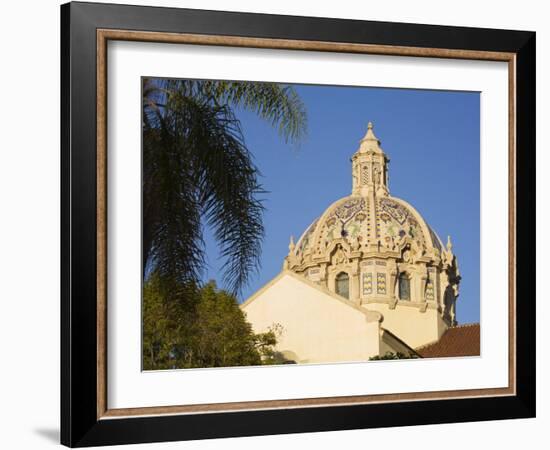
<point>172,230</point>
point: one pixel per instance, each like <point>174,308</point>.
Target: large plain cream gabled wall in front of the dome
<point>317,326</point>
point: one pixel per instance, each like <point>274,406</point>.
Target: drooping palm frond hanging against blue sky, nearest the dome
<point>227,187</point>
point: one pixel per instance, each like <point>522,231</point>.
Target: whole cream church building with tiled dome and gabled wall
<point>368,277</point>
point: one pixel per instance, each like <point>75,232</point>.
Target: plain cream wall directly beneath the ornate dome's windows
<point>409,324</point>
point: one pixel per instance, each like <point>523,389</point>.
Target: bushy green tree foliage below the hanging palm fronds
<point>212,332</point>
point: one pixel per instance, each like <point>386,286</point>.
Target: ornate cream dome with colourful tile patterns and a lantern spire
<point>374,248</point>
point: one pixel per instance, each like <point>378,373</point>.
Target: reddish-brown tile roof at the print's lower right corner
<point>462,340</point>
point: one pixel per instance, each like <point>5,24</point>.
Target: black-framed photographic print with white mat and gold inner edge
<point>276,224</point>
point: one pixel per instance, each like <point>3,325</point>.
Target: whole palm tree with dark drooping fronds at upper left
<point>197,170</point>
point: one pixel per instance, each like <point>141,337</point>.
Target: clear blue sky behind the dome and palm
<point>432,140</point>
